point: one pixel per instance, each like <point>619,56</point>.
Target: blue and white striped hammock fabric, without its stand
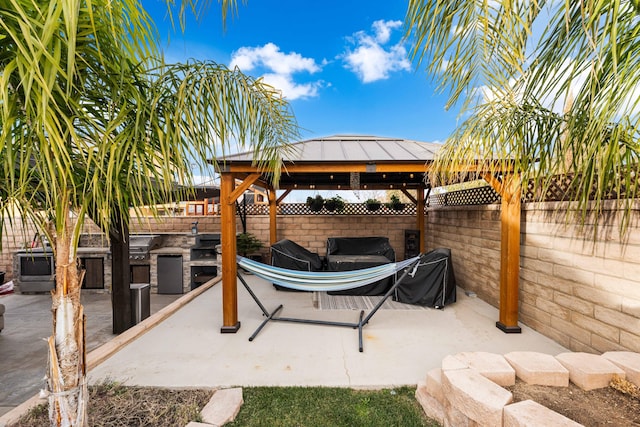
<point>322,280</point>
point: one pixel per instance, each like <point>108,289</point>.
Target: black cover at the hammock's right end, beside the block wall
<point>434,284</point>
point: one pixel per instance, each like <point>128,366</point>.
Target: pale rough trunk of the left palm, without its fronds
<point>66,376</point>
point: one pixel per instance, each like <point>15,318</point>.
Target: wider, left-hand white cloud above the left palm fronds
<point>278,69</point>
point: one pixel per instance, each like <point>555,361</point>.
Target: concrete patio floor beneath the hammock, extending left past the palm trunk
<point>181,345</point>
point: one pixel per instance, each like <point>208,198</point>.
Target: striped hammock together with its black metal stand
<point>304,280</point>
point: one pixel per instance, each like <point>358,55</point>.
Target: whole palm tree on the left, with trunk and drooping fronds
<point>91,123</point>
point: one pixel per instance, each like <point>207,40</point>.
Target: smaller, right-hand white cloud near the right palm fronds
<point>370,59</point>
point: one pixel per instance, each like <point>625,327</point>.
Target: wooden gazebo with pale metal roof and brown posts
<point>344,162</point>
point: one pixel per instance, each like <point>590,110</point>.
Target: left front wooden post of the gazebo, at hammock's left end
<point>230,323</point>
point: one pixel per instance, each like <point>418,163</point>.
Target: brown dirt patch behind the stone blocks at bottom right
<point>617,405</point>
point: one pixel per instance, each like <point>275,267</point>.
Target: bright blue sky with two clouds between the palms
<point>341,64</point>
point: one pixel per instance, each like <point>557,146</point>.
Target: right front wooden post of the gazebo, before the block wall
<point>510,254</point>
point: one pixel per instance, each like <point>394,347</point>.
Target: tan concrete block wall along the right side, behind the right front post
<point>582,293</point>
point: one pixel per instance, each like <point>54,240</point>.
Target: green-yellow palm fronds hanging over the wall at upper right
<point>547,88</point>
